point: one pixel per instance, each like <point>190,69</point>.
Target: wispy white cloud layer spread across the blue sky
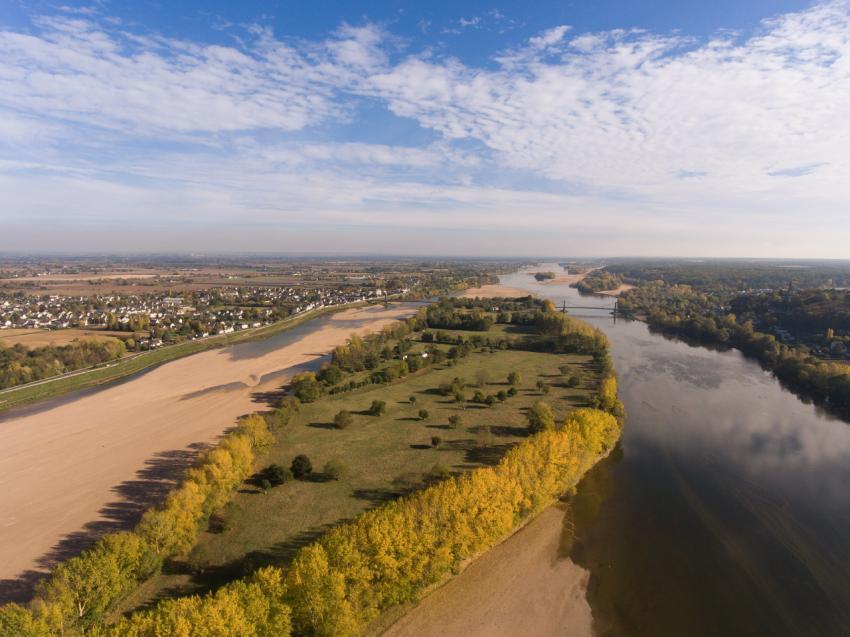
<point>584,133</point>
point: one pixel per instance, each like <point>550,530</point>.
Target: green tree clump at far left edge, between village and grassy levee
<point>19,364</point>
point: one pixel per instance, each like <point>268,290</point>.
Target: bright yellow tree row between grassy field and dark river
<point>390,555</point>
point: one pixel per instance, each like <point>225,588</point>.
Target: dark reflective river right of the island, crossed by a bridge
<point>726,508</point>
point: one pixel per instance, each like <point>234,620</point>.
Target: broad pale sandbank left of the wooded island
<point>83,466</point>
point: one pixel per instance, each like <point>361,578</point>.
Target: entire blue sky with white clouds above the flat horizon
<point>594,128</point>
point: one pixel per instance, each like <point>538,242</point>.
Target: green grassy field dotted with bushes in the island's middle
<point>384,456</point>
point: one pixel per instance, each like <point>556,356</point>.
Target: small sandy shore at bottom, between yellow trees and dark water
<point>520,587</point>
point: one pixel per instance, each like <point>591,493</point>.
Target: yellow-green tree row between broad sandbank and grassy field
<point>82,591</point>
